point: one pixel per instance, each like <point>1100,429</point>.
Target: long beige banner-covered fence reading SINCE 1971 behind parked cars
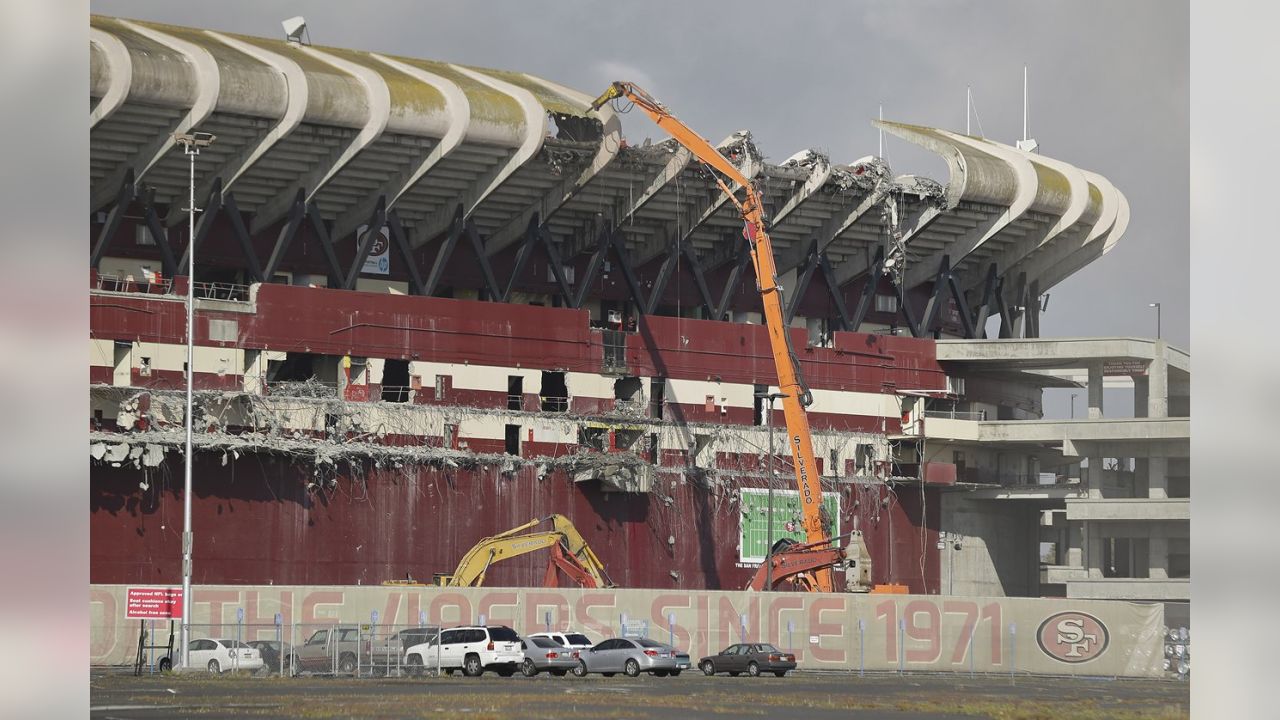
<point>836,632</point>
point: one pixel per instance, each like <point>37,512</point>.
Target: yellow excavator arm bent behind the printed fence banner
<point>570,555</point>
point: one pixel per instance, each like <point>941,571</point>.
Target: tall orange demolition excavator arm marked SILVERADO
<point>797,397</point>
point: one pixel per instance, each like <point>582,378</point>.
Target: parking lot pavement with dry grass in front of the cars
<point>691,696</point>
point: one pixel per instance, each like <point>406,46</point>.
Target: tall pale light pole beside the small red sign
<point>191,145</point>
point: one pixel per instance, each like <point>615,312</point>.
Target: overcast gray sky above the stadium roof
<point>1109,92</point>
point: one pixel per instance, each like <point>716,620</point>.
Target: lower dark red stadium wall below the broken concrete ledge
<point>259,522</point>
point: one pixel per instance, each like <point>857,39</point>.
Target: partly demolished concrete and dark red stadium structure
<point>435,302</point>
